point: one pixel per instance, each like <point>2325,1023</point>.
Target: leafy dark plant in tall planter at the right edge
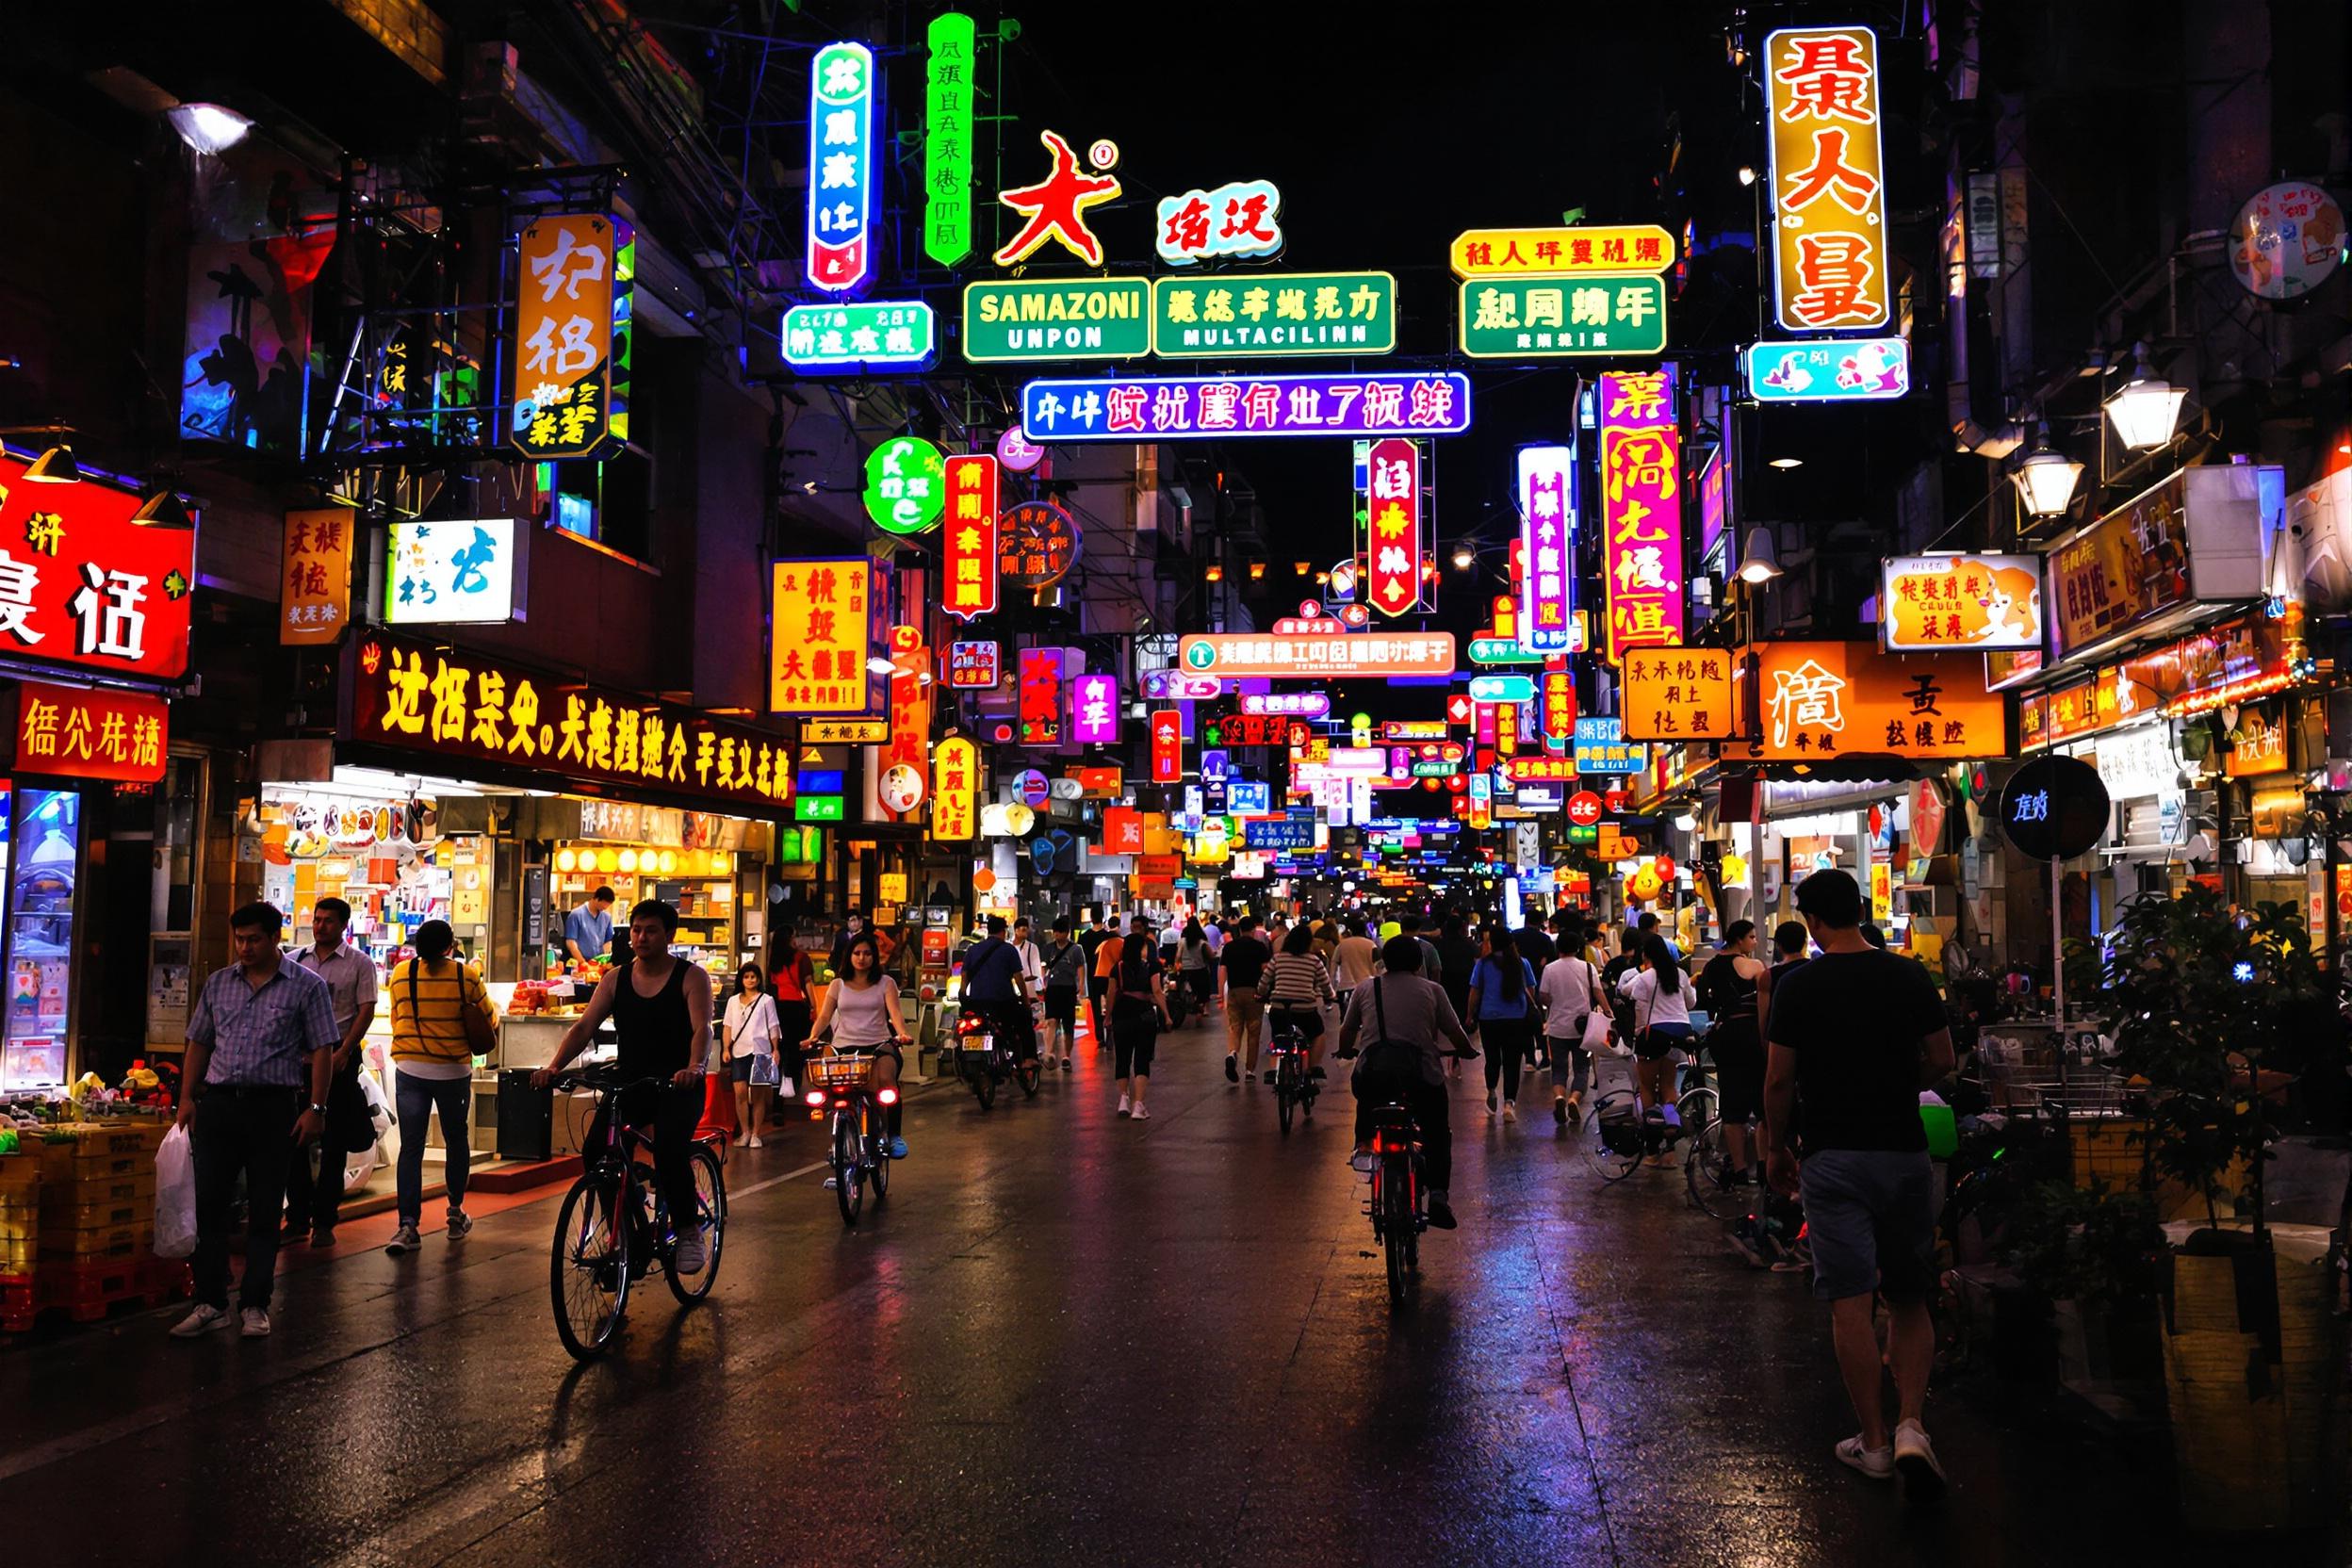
<point>2219,1012</point>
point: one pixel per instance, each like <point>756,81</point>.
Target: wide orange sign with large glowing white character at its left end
<point>1829,699</point>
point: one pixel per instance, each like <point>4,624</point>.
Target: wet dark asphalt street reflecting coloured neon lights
<point>1062,1339</point>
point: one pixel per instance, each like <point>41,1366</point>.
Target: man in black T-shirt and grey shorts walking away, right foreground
<point>1855,1038</point>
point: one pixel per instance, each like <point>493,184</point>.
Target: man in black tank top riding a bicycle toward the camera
<point>660,1007</point>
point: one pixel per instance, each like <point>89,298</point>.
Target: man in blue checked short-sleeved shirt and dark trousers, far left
<point>260,1057</point>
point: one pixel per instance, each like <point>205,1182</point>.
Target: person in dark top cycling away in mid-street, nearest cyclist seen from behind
<point>1398,1019</point>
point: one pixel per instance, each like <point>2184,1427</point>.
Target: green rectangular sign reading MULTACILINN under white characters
<point>1274,314</point>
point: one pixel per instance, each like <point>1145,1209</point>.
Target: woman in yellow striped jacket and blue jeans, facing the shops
<point>434,1057</point>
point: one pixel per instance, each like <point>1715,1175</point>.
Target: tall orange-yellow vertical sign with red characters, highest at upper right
<point>1822,107</point>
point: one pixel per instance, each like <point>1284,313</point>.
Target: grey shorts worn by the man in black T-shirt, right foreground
<point>1871,1217</point>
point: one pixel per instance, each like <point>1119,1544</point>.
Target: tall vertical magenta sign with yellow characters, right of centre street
<point>1641,511</point>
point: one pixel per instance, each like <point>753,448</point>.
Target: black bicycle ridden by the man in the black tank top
<point>615,1224</point>
